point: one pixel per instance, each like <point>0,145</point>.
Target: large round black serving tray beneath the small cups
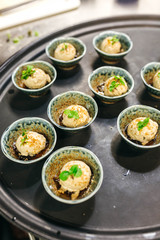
<point>128,204</point>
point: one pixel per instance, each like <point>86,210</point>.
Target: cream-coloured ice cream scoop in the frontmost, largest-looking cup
<point>76,184</point>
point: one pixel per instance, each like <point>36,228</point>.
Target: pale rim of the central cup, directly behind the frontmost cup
<point>67,128</point>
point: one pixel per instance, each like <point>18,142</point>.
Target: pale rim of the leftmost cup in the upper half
<point>38,89</point>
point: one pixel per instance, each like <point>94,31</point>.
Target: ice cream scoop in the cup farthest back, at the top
<point>108,46</point>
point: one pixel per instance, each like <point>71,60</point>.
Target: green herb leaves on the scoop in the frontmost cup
<point>74,170</point>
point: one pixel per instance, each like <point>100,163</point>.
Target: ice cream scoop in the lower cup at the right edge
<point>146,134</point>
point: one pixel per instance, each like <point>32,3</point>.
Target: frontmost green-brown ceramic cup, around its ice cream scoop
<point>56,162</point>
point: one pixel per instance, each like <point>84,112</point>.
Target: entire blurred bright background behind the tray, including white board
<point>34,19</point>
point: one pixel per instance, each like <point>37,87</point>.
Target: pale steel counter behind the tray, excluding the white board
<point>89,10</point>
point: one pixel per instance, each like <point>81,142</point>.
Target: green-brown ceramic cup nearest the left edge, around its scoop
<point>36,124</point>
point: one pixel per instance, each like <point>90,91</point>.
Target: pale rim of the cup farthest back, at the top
<point>112,32</point>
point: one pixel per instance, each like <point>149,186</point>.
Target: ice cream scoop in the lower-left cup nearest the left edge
<point>34,143</point>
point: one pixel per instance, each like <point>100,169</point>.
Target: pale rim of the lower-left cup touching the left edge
<point>9,128</point>
